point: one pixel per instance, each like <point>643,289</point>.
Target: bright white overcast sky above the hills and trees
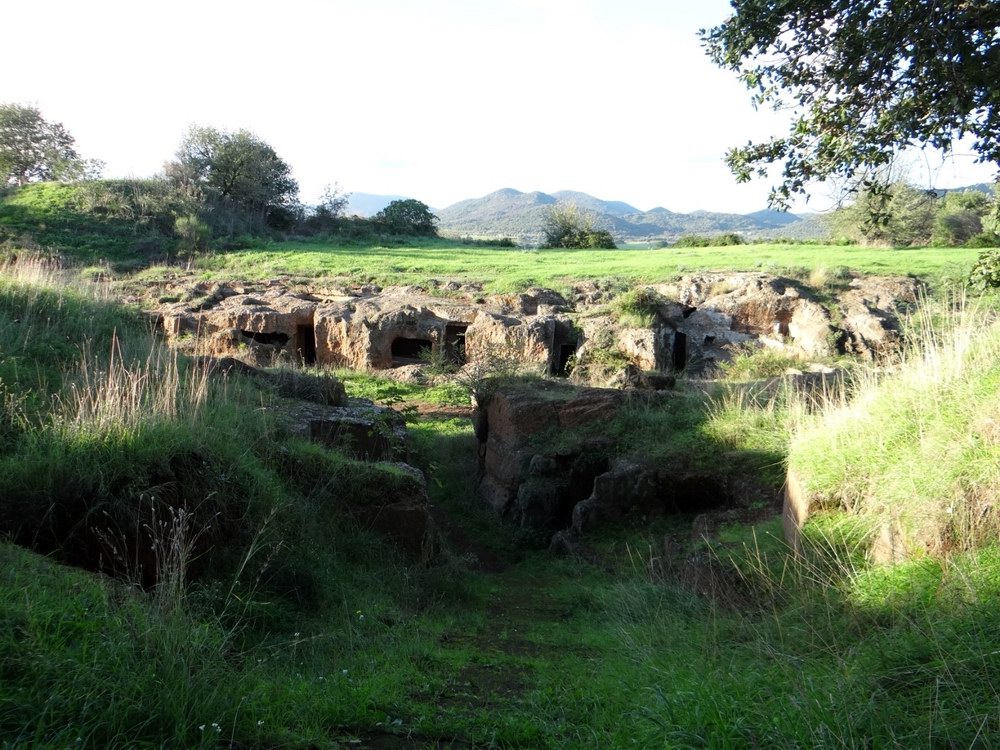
<point>439,100</point>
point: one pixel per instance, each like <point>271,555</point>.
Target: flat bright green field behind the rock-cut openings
<point>505,270</point>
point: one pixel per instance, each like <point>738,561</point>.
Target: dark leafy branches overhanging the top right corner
<point>865,78</point>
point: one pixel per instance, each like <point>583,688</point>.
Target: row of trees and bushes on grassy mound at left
<point>220,189</point>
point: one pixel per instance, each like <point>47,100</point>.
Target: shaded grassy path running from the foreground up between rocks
<point>529,660</point>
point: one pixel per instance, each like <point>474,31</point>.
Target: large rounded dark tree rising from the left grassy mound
<point>237,176</point>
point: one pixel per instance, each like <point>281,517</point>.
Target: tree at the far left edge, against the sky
<point>32,148</point>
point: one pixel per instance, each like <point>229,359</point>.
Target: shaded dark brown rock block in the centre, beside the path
<point>546,464</point>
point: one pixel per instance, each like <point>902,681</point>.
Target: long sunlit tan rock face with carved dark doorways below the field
<point>700,320</point>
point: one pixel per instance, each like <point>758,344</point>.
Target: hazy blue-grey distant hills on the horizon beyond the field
<point>511,213</point>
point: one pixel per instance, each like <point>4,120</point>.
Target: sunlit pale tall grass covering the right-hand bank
<point>906,443</point>
